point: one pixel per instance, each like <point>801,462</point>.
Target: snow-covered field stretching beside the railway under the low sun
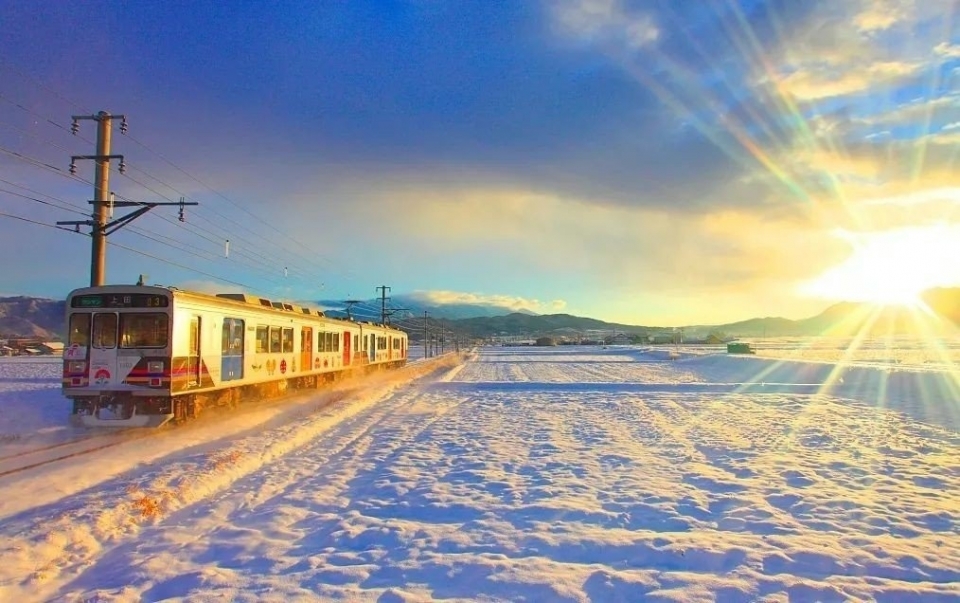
<point>564,474</point>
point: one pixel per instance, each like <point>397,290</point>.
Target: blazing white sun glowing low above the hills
<point>893,266</point>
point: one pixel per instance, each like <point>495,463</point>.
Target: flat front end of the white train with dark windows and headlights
<point>117,360</point>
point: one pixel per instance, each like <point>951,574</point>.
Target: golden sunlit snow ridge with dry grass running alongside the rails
<point>74,542</point>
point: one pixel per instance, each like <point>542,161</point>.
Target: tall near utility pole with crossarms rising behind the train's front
<point>99,227</point>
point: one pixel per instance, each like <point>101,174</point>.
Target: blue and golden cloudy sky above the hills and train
<point>644,162</point>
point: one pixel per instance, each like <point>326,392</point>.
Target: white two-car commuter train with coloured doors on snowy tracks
<point>145,356</point>
